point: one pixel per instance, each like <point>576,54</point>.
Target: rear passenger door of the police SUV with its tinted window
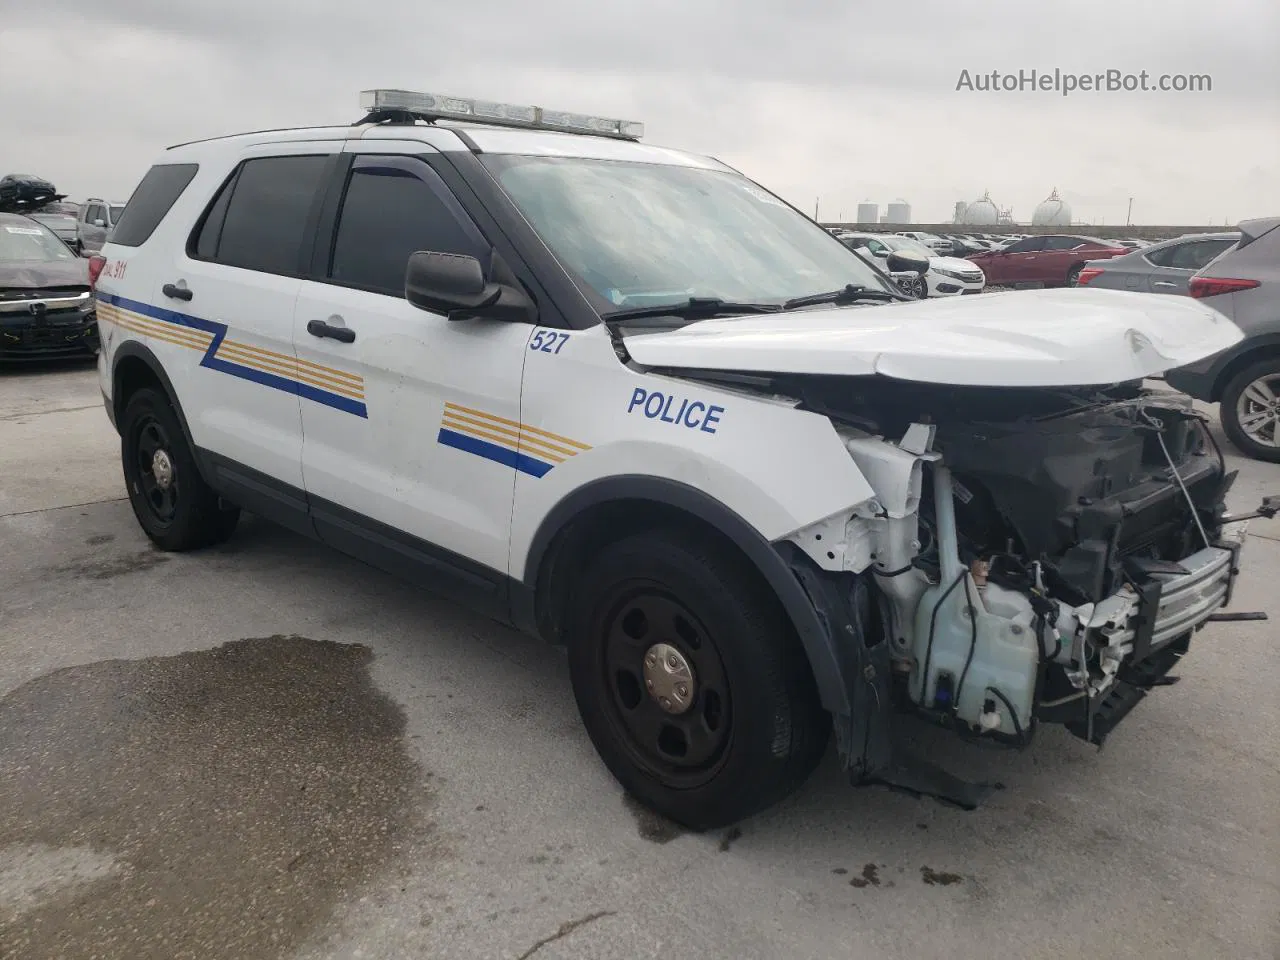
<point>235,287</point>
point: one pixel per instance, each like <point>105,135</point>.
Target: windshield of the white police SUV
<point>643,235</point>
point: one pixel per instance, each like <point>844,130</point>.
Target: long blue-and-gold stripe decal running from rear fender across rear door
<point>282,372</point>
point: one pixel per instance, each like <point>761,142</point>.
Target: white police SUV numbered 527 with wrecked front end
<point>625,399</point>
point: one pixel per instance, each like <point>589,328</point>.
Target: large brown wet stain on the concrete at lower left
<point>221,803</point>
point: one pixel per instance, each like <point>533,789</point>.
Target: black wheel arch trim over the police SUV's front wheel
<point>605,510</point>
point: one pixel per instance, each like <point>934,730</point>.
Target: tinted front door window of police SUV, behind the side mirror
<point>394,208</point>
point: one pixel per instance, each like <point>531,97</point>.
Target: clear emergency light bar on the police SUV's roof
<point>435,107</point>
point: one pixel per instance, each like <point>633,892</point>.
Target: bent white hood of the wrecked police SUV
<point>1026,339</point>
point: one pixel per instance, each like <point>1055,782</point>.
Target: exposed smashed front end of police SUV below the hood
<point>1032,556</point>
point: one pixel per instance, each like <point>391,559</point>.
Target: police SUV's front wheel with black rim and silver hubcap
<point>691,683</point>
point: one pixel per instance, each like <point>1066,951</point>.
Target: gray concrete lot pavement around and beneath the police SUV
<point>268,751</point>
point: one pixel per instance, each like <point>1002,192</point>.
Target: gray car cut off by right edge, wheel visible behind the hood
<point>1245,285</point>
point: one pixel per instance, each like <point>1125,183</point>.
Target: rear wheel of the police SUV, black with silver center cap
<point>173,504</point>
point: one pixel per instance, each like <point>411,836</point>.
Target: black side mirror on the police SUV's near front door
<point>455,286</point>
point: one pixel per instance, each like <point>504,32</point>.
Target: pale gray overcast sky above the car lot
<point>845,102</point>
